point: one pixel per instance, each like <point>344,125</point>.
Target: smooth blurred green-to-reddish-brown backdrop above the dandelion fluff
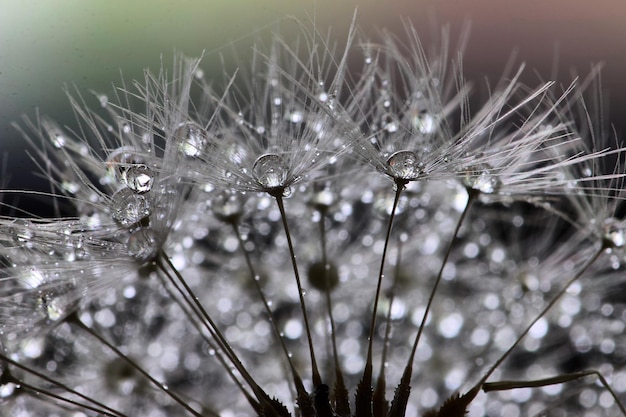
<point>47,44</point>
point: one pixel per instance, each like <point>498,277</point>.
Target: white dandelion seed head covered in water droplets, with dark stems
<point>329,231</point>
